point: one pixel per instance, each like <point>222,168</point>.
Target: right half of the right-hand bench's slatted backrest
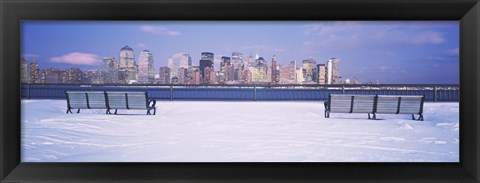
<point>399,104</point>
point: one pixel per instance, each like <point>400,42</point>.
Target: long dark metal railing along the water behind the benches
<point>260,92</point>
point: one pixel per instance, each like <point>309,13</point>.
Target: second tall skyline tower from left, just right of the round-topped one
<point>146,72</point>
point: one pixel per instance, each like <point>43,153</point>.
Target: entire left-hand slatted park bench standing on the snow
<point>109,100</point>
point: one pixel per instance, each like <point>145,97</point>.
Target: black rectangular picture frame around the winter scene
<point>12,12</point>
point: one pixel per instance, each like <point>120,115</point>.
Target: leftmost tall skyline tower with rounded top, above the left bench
<point>127,64</point>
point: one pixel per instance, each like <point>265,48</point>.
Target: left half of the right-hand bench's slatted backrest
<point>351,103</point>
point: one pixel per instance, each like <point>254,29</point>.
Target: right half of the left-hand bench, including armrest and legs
<point>129,100</point>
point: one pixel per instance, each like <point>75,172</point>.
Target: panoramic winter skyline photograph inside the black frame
<point>240,91</point>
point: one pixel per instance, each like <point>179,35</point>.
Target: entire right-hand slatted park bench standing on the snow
<point>375,104</point>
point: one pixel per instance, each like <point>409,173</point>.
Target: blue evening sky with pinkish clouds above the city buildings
<point>397,52</point>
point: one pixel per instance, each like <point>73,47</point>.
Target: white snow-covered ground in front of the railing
<point>192,131</point>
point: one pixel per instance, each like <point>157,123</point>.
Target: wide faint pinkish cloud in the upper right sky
<point>351,33</point>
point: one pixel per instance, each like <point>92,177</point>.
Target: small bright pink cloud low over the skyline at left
<point>77,58</point>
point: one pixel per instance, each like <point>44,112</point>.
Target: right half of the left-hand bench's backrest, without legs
<point>127,100</point>
